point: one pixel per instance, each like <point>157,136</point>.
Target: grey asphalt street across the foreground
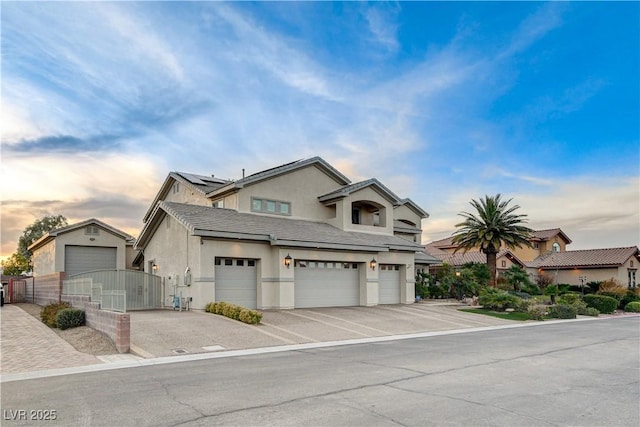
<point>571,373</point>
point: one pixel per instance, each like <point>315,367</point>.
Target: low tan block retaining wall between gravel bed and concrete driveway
<point>117,326</point>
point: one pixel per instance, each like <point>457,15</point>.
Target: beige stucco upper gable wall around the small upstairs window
<point>300,187</point>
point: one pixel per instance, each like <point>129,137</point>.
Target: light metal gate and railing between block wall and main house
<point>118,290</point>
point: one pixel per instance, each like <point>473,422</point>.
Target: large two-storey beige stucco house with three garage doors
<point>297,235</point>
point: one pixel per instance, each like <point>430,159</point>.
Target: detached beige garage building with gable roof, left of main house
<point>86,246</point>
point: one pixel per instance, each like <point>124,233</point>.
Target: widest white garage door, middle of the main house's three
<point>326,284</point>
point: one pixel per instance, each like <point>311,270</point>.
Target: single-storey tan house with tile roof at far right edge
<point>583,266</point>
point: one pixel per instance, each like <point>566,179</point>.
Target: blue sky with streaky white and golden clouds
<point>443,102</point>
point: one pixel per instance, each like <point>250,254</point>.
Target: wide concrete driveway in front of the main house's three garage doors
<point>165,332</point>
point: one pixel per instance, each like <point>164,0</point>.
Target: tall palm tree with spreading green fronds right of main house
<point>493,226</point>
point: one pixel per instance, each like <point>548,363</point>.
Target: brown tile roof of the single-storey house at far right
<point>588,258</point>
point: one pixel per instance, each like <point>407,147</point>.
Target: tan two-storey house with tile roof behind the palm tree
<point>543,242</point>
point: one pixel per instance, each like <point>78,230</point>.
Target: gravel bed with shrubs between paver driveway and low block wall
<point>83,338</point>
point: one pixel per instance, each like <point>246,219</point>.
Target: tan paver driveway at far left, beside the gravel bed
<point>29,345</point>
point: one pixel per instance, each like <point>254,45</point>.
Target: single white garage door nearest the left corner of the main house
<point>237,281</point>
